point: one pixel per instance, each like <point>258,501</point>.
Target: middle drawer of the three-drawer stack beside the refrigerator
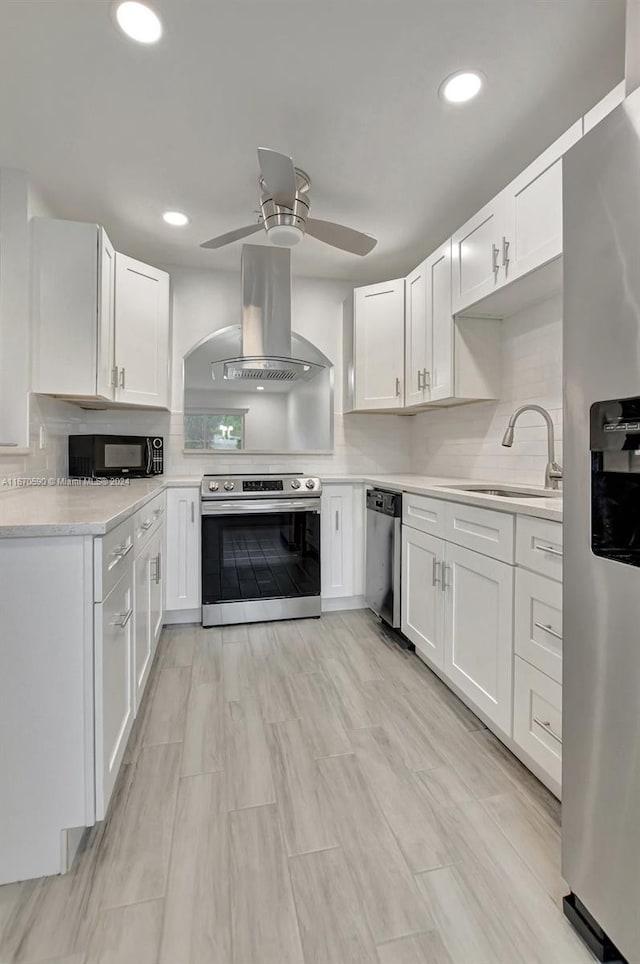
<point>538,622</point>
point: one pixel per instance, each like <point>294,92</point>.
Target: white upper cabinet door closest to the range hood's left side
<point>142,333</point>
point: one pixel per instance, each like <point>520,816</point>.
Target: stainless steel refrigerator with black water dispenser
<point>601,687</point>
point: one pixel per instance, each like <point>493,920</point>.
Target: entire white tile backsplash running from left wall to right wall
<point>460,442</point>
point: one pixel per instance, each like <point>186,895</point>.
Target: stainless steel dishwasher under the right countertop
<point>384,547</point>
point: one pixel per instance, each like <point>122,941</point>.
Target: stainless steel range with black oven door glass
<point>260,548</point>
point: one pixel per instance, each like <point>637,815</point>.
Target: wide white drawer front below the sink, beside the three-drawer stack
<point>483,530</point>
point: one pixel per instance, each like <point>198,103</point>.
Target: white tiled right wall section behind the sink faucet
<point>465,441</point>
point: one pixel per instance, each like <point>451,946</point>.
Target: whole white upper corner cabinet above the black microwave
<point>100,319</point>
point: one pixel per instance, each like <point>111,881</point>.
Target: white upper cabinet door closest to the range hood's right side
<point>379,345</point>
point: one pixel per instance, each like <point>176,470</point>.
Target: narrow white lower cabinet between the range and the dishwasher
<point>342,541</point>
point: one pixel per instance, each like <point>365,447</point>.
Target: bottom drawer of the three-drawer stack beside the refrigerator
<point>537,717</point>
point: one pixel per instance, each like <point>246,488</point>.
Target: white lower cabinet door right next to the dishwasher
<point>422,596</point>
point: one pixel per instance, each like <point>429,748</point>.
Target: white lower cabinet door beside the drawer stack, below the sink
<point>478,651</point>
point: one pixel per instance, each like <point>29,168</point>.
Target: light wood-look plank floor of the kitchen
<point>305,792</point>
